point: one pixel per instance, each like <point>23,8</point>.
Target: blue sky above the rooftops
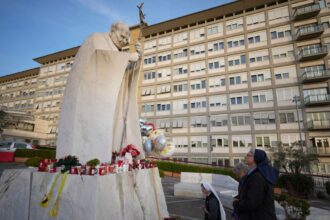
<point>34,28</point>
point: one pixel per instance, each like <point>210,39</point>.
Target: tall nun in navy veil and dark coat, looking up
<point>256,199</point>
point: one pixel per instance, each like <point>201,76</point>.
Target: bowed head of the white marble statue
<point>120,34</point>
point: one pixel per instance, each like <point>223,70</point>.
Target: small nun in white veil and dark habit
<point>213,209</point>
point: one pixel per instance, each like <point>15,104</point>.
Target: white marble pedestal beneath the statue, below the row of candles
<point>130,195</point>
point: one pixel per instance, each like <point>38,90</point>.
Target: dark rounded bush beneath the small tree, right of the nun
<point>297,184</point>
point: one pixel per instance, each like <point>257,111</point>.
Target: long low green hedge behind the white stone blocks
<point>177,168</point>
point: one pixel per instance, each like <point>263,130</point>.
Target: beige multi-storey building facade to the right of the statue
<point>248,73</point>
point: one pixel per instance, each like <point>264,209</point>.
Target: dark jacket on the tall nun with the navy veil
<point>256,198</point>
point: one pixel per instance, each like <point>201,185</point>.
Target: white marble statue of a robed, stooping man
<point>99,112</point>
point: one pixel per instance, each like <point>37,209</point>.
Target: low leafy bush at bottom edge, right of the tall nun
<point>294,208</point>
